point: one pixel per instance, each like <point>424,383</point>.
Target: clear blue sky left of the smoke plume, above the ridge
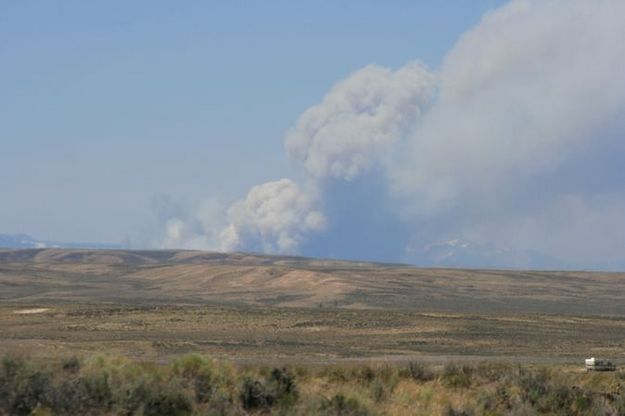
<point>105,104</point>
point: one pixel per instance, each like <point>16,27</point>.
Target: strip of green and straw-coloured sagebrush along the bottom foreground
<point>198,385</point>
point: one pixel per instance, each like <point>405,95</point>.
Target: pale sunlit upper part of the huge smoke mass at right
<point>519,94</point>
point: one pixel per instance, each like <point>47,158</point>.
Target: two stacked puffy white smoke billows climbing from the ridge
<point>350,133</point>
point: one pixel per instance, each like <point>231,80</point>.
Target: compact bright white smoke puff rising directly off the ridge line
<point>273,218</point>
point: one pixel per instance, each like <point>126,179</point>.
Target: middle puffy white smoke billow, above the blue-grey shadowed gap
<point>360,119</point>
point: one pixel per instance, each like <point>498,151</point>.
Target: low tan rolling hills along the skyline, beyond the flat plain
<point>194,277</point>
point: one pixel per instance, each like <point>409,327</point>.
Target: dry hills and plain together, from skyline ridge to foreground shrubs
<point>155,305</point>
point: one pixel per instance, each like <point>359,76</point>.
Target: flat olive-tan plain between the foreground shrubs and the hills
<point>316,335</point>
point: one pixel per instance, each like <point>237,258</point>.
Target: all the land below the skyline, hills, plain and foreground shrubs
<point>373,338</point>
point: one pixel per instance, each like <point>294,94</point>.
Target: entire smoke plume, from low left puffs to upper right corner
<point>517,141</point>
